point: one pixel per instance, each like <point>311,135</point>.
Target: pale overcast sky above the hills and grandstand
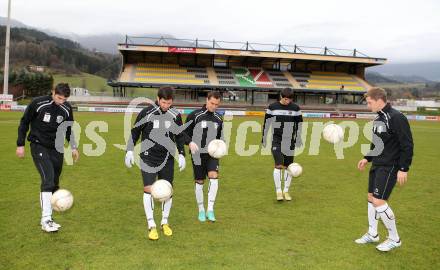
<point>402,31</point>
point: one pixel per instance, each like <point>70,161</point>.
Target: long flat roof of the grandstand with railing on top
<point>284,53</point>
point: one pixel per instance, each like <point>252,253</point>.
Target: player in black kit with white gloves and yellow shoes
<point>161,128</point>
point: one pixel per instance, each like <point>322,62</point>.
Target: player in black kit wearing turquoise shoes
<point>205,125</point>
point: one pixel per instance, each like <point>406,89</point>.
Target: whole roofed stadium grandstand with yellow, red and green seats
<point>245,73</point>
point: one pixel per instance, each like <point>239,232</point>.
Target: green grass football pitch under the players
<point>106,228</point>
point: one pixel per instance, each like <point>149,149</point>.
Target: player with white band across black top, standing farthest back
<point>285,117</point>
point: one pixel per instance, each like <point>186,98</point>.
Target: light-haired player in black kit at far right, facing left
<point>391,156</point>
